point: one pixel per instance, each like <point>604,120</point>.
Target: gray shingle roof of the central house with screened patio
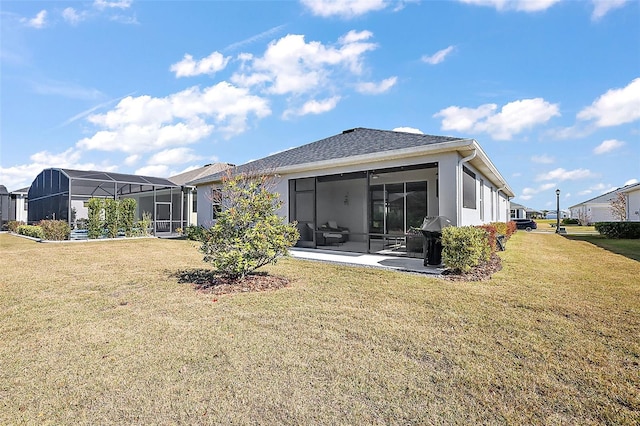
<point>350,143</point>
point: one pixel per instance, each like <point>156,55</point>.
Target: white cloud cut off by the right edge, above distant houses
<point>617,106</point>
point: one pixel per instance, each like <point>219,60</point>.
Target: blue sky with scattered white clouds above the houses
<point>549,88</point>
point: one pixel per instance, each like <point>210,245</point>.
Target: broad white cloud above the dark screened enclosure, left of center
<point>145,123</point>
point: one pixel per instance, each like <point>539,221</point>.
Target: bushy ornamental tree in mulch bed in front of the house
<point>247,234</point>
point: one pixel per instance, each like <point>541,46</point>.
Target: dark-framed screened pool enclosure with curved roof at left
<point>62,194</point>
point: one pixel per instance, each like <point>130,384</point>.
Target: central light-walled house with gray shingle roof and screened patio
<point>365,189</point>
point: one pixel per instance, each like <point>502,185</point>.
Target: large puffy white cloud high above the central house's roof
<point>292,66</point>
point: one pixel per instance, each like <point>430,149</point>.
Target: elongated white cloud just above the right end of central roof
<point>513,118</point>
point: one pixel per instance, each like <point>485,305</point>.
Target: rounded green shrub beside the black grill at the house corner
<point>464,247</point>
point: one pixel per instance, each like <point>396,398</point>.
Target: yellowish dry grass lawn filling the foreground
<point>102,333</point>
